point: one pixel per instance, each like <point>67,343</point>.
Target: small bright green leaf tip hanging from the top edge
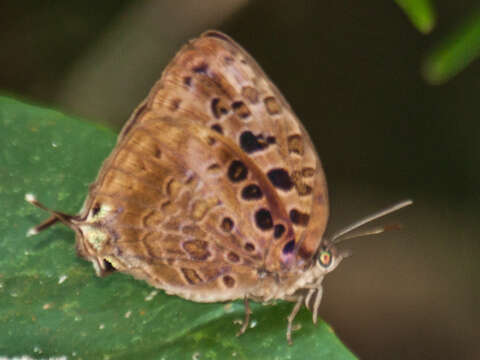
<point>420,12</point>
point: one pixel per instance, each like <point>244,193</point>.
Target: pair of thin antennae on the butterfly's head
<point>339,236</point>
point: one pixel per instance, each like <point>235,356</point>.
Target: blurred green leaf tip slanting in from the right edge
<point>455,52</point>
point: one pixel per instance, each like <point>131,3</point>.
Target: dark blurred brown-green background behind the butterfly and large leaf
<point>393,112</point>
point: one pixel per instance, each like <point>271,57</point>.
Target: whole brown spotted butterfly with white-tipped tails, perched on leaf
<point>214,191</point>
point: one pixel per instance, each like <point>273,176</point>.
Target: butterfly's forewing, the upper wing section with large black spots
<point>213,82</point>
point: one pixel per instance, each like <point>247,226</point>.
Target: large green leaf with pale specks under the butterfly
<point>52,304</point>
